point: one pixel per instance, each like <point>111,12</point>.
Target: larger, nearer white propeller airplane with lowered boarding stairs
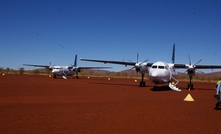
<point>161,72</point>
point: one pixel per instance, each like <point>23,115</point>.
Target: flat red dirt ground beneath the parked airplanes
<point>39,104</point>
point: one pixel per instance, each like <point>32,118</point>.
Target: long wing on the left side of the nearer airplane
<point>112,62</point>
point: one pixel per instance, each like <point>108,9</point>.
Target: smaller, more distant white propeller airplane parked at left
<point>65,70</point>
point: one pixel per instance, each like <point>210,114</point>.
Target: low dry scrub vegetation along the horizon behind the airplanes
<point>207,77</point>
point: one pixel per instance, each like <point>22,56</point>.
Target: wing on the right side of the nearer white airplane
<point>198,66</point>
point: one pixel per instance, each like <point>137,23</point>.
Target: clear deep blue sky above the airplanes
<point>44,31</point>
